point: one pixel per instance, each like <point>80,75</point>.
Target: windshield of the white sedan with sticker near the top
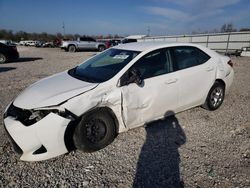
<point>104,66</point>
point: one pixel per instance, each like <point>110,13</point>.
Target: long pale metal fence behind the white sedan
<point>222,42</point>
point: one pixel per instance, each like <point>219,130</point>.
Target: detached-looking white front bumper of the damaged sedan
<point>39,141</point>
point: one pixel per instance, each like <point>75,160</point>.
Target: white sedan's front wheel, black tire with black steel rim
<point>95,131</point>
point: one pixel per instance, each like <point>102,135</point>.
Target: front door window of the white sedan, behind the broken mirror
<point>155,63</point>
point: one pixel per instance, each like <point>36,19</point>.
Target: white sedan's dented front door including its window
<point>156,95</point>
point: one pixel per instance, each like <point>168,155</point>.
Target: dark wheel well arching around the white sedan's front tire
<point>69,132</point>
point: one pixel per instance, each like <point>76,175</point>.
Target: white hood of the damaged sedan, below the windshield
<point>52,91</point>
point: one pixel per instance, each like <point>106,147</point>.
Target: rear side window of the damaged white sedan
<point>186,57</point>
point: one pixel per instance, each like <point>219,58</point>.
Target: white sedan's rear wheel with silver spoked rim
<point>215,97</point>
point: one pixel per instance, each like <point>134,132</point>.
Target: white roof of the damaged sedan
<point>145,45</point>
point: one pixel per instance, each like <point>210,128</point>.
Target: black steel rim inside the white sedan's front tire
<point>96,130</point>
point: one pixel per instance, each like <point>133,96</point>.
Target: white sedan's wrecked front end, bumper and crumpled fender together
<point>44,133</point>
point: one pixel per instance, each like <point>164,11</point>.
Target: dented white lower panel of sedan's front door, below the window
<point>151,100</point>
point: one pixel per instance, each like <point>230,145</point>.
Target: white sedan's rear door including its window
<point>196,73</point>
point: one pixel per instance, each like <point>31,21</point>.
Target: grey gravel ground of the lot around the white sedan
<point>195,148</point>
